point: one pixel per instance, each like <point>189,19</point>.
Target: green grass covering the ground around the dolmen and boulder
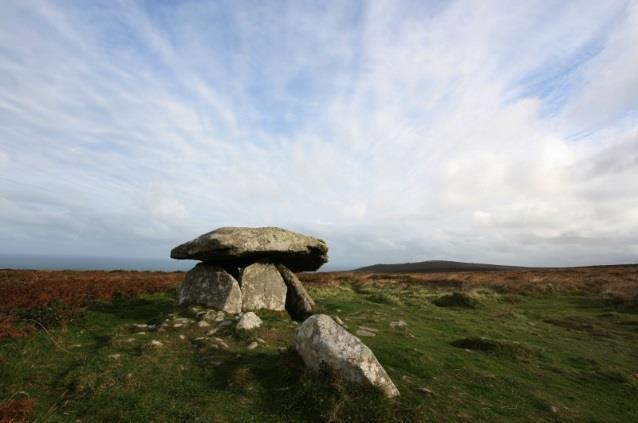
<point>529,358</point>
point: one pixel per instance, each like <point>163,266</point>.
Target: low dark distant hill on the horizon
<point>432,266</point>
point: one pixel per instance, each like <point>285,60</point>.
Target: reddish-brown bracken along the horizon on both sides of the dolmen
<point>66,291</point>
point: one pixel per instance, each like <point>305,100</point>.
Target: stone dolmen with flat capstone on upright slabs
<point>249,269</point>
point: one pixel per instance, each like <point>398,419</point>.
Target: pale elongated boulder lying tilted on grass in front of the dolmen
<point>322,343</point>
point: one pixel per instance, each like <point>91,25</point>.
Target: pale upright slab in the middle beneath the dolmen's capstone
<point>262,287</point>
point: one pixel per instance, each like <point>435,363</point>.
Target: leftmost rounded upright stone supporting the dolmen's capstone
<point>211,286</point>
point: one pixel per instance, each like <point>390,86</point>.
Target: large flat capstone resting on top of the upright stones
<point>236,246</point>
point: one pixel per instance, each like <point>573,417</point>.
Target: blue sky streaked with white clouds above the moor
<point>485,131</point>
